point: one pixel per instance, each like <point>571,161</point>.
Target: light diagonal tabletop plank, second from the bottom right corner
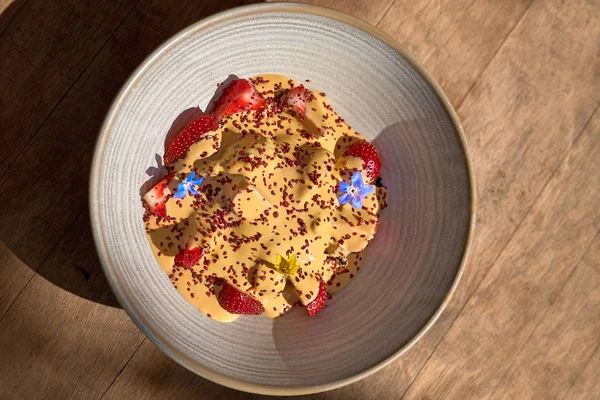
<point>522,283</point>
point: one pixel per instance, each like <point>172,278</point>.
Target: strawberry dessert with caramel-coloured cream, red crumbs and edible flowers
<point>262,204</point>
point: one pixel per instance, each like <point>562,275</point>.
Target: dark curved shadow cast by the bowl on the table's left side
<point>47,226</point>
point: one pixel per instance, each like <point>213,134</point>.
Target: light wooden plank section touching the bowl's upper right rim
<point>455,40</point>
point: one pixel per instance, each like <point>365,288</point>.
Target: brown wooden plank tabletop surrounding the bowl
<point>524,76</point>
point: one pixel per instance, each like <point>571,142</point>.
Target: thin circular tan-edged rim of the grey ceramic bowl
<point>107,264</point>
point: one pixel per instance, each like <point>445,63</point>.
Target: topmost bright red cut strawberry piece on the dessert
<point>240,95</point>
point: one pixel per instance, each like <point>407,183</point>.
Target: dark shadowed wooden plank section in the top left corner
<point>40,58</point>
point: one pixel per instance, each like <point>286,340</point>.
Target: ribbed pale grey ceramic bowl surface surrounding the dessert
<point>411,264</point>
